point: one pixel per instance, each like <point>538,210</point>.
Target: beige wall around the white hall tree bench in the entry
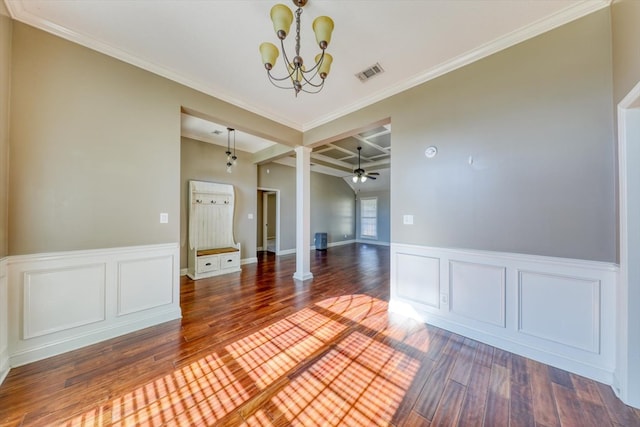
<point>202,161</point>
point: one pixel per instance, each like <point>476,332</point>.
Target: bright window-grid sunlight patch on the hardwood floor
<point>358,378</point>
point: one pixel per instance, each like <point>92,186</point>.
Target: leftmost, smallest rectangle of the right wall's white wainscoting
<point>418,279</point>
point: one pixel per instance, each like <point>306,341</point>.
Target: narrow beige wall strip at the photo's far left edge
<point>5,91</point>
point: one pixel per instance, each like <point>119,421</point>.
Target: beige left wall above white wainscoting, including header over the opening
<point>95,147</point>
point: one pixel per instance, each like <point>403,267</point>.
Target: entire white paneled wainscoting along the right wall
<point>558,311</point>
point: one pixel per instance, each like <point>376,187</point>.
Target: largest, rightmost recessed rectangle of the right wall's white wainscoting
<point>544,299</point>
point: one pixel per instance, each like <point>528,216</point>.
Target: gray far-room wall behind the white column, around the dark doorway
<point>332,204</point>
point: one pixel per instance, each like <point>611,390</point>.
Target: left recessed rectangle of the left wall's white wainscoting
<point>48,295</point>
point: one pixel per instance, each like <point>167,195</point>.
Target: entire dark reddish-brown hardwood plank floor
<point>258,349</point>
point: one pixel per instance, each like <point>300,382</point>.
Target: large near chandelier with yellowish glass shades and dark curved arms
<point>302,79</point>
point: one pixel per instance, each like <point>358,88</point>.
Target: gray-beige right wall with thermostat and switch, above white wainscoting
<point>537,119</point>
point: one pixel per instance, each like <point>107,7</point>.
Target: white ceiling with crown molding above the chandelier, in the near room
<point>212,45</point>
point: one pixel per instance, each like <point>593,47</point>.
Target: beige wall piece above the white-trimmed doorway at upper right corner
<point>625,24</point>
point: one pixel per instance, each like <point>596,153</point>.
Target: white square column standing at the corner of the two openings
<point>303,214</point>
